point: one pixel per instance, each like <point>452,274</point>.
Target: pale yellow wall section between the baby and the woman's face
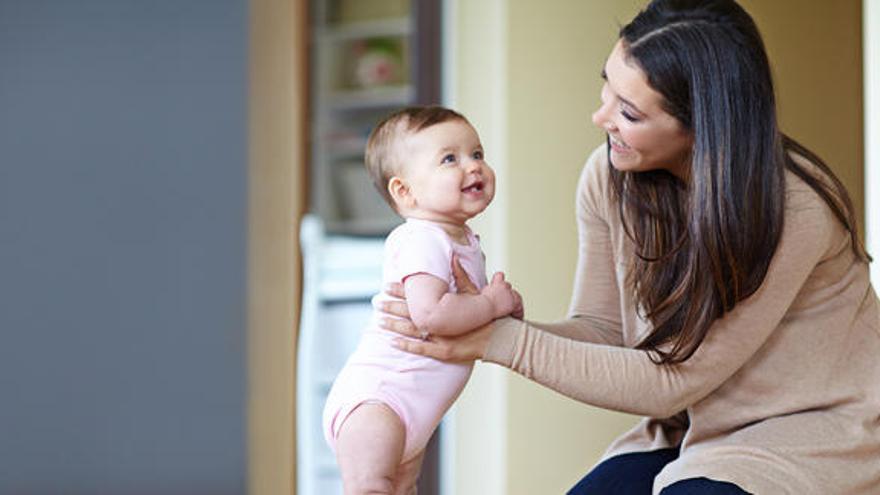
<point>556,52</point>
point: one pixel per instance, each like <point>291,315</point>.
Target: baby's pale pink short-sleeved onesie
<point>419,389</point>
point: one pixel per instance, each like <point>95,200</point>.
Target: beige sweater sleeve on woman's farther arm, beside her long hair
<point>594,311</point>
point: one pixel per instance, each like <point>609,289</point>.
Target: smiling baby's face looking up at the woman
<point>444,168</point>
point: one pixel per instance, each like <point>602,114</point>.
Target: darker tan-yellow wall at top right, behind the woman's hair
<point>815,49</point>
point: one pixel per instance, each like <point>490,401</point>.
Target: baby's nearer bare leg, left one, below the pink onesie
<point>369,449</point>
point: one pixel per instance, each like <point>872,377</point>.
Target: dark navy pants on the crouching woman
<point>633,474</point>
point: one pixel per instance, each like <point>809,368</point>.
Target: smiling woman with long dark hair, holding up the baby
<point>721,289</point>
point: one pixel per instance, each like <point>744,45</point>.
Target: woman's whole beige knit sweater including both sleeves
<point>783,395</point>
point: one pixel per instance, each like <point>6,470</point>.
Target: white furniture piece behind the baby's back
<point>340,276</point>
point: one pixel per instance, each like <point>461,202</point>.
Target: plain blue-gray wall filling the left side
<point>122,246</point>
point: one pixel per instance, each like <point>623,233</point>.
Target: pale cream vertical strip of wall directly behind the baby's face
<point>476,458</point>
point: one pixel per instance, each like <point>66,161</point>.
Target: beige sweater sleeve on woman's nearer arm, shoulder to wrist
<point>627,380</point>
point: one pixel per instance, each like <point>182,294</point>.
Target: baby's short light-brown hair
<point>380,157</point>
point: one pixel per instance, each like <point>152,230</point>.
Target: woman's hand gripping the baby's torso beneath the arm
<point>460,348</point>
